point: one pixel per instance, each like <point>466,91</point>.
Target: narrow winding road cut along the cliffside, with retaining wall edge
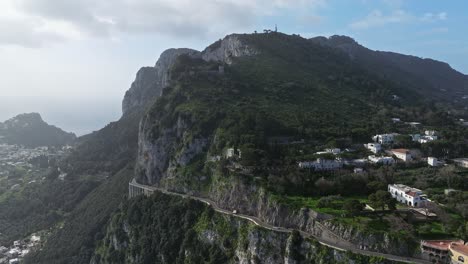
<point>326,241</point>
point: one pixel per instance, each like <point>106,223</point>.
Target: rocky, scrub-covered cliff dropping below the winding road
<point>200,235</point>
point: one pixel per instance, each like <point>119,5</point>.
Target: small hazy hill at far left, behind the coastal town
<point>31,131</point>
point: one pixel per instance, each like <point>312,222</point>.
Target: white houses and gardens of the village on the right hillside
<point>404,204</point>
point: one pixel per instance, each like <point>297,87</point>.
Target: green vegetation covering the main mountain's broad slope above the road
<point>296,91</point>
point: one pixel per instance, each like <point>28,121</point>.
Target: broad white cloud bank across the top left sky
<point>34,22</point>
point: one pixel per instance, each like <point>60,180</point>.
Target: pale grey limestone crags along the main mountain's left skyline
<point>150,81</point>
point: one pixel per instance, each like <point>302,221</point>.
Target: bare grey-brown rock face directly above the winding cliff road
<point>252,200</point>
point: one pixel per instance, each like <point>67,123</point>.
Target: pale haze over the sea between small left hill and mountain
<point>80,116</point>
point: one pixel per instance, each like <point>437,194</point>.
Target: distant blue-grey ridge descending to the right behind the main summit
<point>427,76</point>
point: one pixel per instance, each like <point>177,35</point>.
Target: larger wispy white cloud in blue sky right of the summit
<point>376,19</point>
